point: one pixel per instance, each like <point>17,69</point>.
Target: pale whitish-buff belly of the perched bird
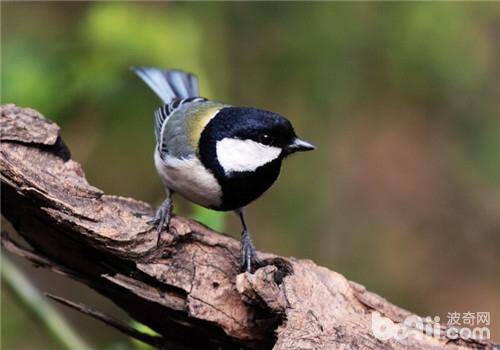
<point>189,178</point>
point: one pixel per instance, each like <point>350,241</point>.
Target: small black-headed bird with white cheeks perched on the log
<point>214,154</point>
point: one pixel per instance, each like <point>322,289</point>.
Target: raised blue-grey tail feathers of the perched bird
<point>169,84</point>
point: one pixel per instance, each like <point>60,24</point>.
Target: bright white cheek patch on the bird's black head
<point>244,155</point>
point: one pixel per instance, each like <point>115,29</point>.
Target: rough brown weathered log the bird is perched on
<point>189,289</point>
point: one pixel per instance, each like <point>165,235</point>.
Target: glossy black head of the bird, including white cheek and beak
<point>244,148</point>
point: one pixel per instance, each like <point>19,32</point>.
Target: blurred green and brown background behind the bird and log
<point>402,100</point>
